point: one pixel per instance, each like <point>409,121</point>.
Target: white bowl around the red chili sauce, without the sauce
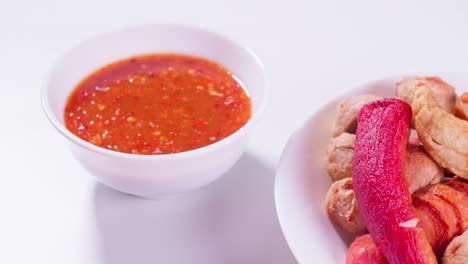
<point>154,176</point>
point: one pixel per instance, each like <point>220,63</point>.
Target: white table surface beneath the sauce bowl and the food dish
<point>52,211</point>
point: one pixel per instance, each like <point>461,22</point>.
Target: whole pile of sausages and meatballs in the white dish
<point>407,195</point>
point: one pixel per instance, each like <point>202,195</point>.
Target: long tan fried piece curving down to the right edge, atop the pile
<point>444,136</point>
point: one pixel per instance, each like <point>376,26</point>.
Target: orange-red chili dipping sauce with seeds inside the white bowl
<point>158,104</point>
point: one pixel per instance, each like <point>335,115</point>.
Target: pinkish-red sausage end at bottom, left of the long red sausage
<point>363,250</point>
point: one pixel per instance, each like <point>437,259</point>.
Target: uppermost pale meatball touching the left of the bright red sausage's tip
<point>347,111</point>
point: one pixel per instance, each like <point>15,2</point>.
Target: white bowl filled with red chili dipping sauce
<point>156,110</point>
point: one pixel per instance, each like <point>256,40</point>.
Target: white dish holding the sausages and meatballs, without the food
<point>302,182</point>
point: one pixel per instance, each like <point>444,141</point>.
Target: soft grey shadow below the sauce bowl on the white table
<point>232,220</point>
